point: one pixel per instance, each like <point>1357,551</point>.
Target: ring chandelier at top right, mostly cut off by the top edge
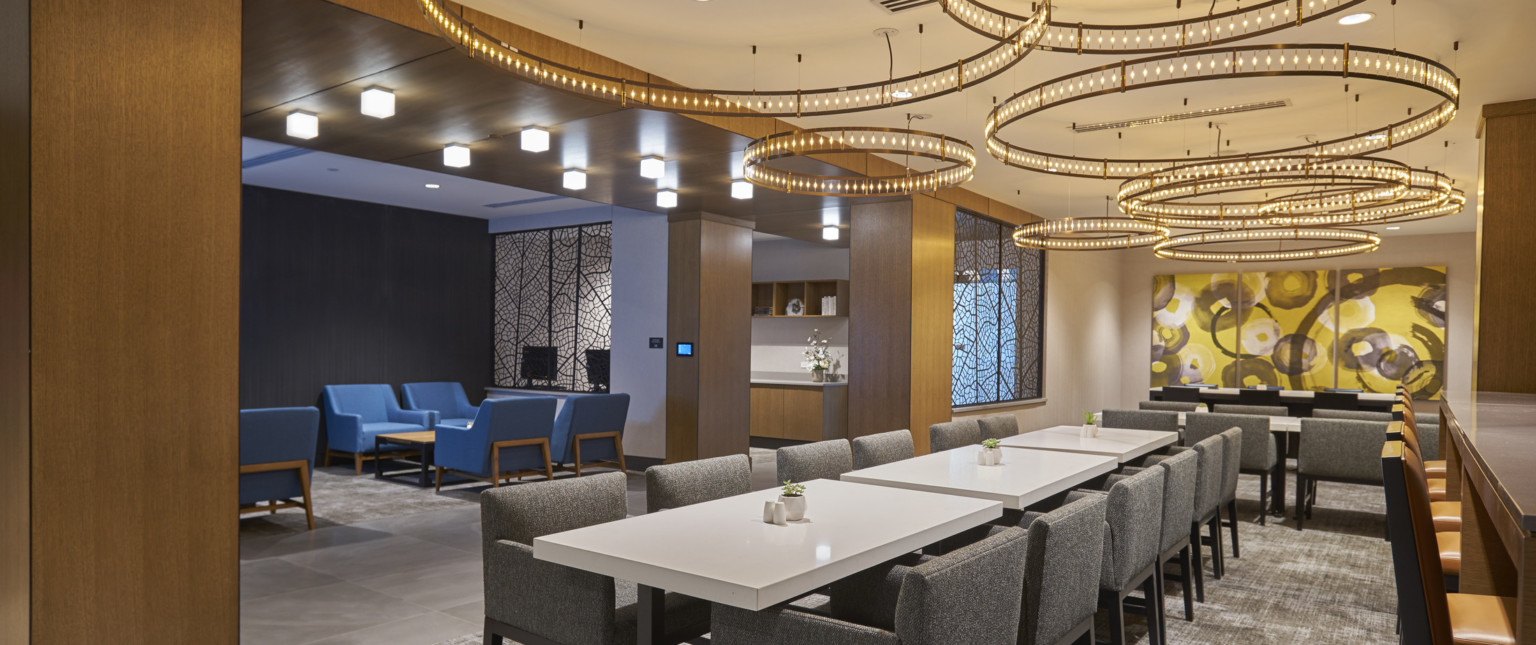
<point>1203,31</point>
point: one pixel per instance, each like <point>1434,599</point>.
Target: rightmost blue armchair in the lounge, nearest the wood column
<point>583,428</point>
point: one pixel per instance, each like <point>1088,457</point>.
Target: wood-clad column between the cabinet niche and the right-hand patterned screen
<point>902,325</point>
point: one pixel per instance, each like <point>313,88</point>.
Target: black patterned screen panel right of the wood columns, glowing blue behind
<point>999,314</point>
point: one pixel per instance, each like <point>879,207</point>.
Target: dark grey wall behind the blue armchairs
<point>337,293</point>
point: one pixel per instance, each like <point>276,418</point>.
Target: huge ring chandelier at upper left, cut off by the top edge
<point>738,102</point>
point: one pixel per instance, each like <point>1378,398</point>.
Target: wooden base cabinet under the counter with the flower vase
<point>799,412</point>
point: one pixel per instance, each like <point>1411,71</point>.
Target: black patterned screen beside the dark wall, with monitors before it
<point>554,297</point>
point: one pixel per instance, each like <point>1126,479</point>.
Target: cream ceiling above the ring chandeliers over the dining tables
<point>709,45</point>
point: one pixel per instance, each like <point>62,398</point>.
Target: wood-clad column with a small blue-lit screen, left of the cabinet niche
<point>709,303</point>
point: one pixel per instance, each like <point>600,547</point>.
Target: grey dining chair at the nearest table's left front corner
<point>537,601</point>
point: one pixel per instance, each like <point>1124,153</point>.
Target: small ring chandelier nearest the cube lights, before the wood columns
<point>958,160</point>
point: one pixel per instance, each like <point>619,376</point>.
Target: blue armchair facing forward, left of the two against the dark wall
<point>356,414</point>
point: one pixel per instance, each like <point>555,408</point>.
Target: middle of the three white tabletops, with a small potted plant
<point>1024,478</point>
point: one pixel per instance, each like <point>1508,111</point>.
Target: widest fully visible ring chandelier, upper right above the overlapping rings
<point>1265,61</point>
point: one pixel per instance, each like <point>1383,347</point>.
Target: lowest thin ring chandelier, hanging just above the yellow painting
<point>1328,243</point>
